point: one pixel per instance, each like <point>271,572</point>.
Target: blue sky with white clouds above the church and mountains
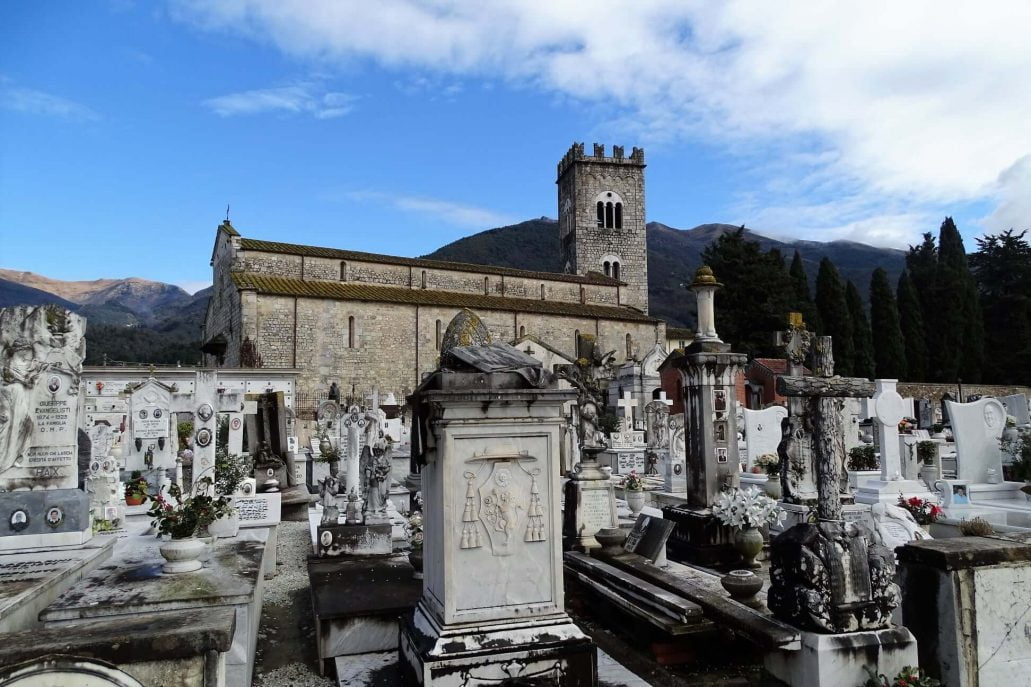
<point>397,127</point>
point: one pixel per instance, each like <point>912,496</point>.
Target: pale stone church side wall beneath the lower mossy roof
<point>391,346</point>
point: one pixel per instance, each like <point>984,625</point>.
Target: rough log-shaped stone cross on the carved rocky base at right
<point>824,394</point>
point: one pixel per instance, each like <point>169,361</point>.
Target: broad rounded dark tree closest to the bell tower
<point>756,298</point>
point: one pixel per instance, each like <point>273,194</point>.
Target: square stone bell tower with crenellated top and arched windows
<point>602,218</point>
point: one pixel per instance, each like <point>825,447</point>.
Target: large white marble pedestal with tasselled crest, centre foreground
<point>493,600</point>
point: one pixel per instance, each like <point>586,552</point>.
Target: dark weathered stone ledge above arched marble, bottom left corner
<point>149,637</point>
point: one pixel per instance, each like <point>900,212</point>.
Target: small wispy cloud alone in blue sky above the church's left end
<point>307,99</point>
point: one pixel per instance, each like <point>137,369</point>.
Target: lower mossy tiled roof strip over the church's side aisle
<point>385,295</point>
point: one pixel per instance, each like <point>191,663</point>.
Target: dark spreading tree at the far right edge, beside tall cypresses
<point>1003,270</point>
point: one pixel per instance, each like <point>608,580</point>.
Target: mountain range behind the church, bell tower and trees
<point>137,320</point>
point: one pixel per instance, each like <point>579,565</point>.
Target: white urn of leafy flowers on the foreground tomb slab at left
<point>180,519</point>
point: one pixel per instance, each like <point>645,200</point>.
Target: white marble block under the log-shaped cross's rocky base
<point>837,661</point>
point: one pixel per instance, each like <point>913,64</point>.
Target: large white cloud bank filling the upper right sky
<point>922,104</point>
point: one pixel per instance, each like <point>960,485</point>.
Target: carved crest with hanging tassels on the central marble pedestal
<point>506,506</point>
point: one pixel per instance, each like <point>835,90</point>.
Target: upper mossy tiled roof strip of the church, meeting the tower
<point>338,254</point>
